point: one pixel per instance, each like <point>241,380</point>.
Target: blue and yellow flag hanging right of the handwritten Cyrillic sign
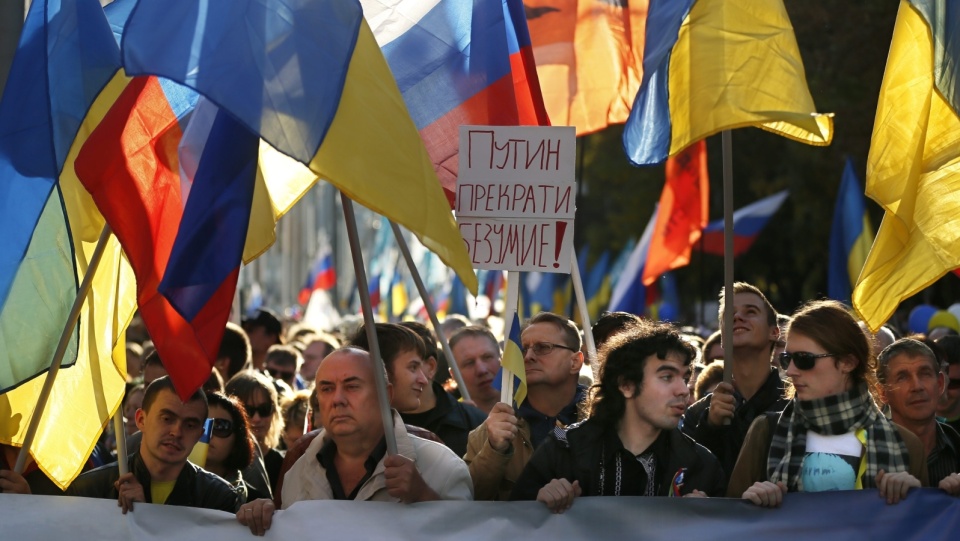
<point>713,65</point>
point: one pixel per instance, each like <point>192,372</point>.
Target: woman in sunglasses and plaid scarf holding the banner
<point>831,435</point>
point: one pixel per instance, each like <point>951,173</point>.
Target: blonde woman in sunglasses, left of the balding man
<point>258,395</point>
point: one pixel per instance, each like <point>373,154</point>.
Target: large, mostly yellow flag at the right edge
<point>913,169</point>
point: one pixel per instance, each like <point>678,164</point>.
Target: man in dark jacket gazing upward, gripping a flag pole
<point>720,420</point>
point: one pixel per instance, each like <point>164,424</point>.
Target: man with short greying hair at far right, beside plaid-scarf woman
<point>911,384</point>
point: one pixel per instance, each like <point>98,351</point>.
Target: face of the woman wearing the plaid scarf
<point>829,375</point>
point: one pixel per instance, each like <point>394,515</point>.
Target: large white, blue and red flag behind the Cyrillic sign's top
<point>458,62</point>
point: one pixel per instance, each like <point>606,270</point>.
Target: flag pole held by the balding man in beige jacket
<point>369,324</point>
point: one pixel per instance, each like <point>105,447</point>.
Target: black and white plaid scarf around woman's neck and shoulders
<point>830,416</point>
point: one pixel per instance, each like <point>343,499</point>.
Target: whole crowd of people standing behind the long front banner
<point>816,403</point>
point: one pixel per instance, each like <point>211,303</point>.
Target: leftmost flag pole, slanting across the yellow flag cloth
<point>58,354</point>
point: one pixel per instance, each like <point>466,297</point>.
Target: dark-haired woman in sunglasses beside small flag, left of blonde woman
<point>231,445</point>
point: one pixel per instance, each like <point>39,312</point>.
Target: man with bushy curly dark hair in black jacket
<point>630,445</point>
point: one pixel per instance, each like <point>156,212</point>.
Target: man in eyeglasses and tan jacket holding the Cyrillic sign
<point>498,449</point>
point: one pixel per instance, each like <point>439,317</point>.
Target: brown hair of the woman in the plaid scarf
<point>830,324</point>
